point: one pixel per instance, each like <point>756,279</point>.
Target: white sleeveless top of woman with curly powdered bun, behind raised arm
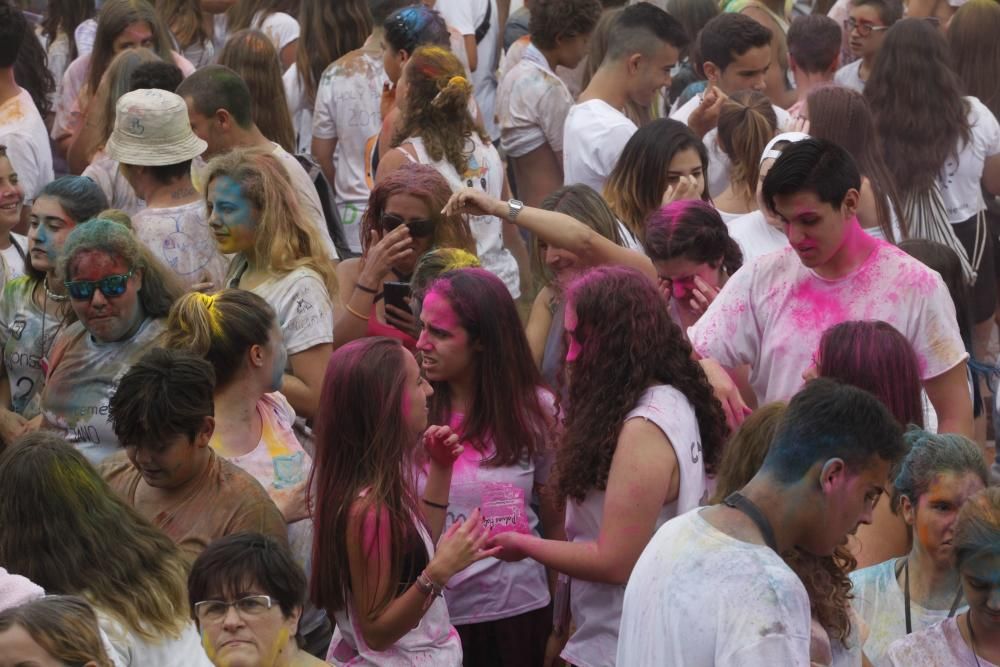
<point>485,172</point>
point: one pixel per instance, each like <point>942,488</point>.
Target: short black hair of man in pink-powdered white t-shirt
<point>816,165</point>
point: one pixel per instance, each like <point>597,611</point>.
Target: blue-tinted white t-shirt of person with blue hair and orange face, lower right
<point>878,600</point>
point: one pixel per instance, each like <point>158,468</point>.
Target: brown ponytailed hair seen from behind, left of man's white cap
<point>747,123</point>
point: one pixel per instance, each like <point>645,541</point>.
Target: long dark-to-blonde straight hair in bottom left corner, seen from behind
<point>66,530</point>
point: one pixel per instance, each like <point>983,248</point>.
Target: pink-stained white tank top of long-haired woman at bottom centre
<point>433,642</point>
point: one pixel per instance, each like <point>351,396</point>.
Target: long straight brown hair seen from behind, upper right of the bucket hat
<point>251,55</point>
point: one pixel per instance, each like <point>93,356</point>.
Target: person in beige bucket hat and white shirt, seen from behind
<point>153,141</point>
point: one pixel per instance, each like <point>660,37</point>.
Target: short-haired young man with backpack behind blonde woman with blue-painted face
<point>219,104</point>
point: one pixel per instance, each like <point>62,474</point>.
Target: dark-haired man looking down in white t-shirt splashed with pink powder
<point>772,312</point>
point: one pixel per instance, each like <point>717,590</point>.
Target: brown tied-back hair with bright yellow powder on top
<point>220,327</point>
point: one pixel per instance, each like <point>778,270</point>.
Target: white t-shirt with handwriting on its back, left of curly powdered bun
<point>347,109</point>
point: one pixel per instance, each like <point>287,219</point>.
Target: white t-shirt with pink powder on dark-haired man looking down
<point>773,311</point>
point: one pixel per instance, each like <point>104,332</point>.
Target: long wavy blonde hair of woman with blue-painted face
<point>283,239</point>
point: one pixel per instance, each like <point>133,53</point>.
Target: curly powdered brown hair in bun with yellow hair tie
<point>437,107</point>
